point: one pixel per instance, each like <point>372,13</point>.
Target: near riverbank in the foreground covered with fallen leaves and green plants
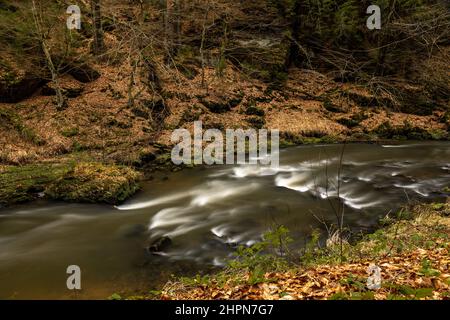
<point>412,251</point>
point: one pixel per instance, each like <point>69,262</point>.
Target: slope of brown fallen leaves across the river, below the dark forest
<point>99,122</point>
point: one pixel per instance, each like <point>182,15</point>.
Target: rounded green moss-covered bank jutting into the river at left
<point>82,182</point>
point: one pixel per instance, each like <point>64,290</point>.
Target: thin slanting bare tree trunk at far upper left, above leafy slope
<point>60,100</point>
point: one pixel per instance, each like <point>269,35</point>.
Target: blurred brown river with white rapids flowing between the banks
<point>207,211</point>
